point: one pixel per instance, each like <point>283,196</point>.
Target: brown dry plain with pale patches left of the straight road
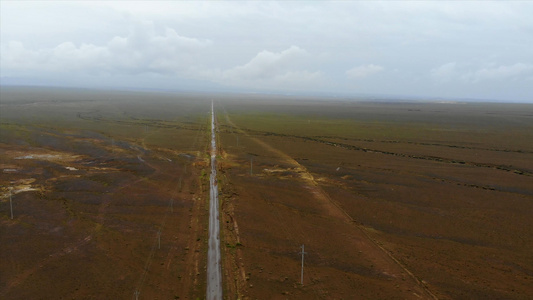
<point>99,179</point>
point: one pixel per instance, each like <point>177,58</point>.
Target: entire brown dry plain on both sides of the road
<point>393,200</point>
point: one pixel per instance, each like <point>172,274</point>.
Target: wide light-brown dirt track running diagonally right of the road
<point>377,253</point>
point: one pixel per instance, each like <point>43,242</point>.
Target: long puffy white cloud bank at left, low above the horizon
<point>143,50</point>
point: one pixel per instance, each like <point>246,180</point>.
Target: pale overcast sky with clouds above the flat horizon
<point>454,49</point>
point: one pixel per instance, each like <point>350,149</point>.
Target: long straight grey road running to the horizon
<point>214,273</point>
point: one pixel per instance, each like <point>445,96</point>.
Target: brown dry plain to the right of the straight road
<point>392,200</point>
